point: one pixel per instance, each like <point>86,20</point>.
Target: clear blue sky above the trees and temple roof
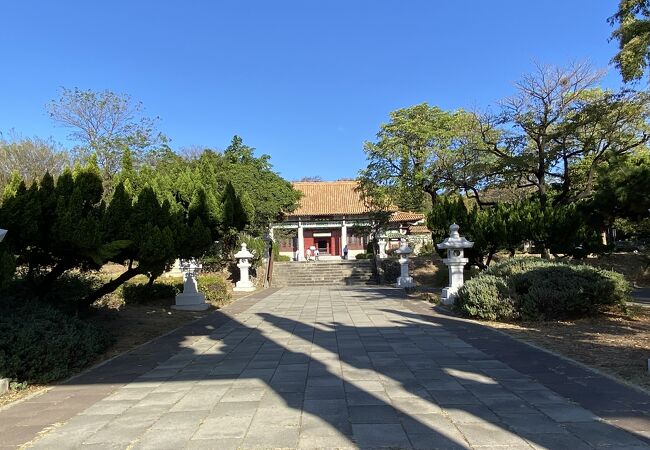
<point>304,81</point>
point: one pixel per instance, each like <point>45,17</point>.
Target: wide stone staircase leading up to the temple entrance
<point>320,273</point>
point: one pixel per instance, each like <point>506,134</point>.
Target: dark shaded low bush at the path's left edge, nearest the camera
<point>40,344</point>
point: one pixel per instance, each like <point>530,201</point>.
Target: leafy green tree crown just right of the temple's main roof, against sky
<point>417,153</point>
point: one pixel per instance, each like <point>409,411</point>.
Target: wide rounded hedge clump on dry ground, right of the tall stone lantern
<point>535,289</point>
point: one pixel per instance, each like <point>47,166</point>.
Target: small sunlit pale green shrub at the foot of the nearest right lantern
<point>485,297</point>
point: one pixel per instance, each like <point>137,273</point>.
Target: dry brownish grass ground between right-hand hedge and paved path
<point>616,343</point>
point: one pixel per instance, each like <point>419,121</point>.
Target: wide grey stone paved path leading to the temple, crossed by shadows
<point>336,368</point>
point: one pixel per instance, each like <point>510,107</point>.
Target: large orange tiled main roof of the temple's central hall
<point>328,197</point>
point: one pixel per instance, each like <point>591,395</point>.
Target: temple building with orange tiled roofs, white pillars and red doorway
<point>332,215</point>
